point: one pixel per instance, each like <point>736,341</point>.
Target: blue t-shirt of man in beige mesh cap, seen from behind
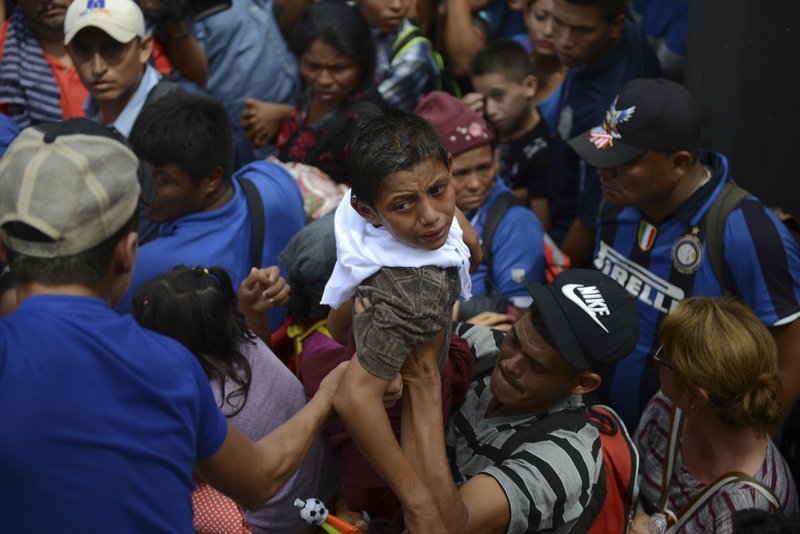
<point>102,421</point>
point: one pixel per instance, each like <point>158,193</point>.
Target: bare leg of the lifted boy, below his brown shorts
<point>359,404</point>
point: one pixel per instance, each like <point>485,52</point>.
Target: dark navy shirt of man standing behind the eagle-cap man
<point>586,95</point>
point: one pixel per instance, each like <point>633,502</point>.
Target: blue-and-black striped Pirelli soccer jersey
<point>660,264</point>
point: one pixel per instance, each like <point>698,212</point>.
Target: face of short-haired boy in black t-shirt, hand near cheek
<point>508,103</point>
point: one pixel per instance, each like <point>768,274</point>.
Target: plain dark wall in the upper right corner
<point>744,70</point>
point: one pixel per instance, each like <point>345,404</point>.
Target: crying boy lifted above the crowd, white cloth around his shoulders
<point>398,247</point>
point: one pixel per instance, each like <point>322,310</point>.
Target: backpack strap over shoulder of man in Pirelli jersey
<point>727,201</point>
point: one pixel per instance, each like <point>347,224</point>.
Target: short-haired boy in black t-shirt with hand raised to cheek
<point>502,74</point>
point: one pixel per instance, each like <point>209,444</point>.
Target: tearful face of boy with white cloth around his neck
<point>415,206</point>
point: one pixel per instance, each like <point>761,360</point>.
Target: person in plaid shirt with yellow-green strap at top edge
<point>406,69</point>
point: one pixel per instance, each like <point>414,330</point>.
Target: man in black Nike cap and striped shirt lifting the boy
<point>483,477</point>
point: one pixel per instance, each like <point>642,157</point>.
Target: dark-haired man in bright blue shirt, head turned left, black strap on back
<point>201,205</point>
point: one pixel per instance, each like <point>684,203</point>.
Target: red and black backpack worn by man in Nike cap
<point>613,501</point>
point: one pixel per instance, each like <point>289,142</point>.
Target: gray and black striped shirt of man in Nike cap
<point>547,482</point>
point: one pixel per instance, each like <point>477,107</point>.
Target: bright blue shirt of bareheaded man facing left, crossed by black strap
<point>222,237</point>
